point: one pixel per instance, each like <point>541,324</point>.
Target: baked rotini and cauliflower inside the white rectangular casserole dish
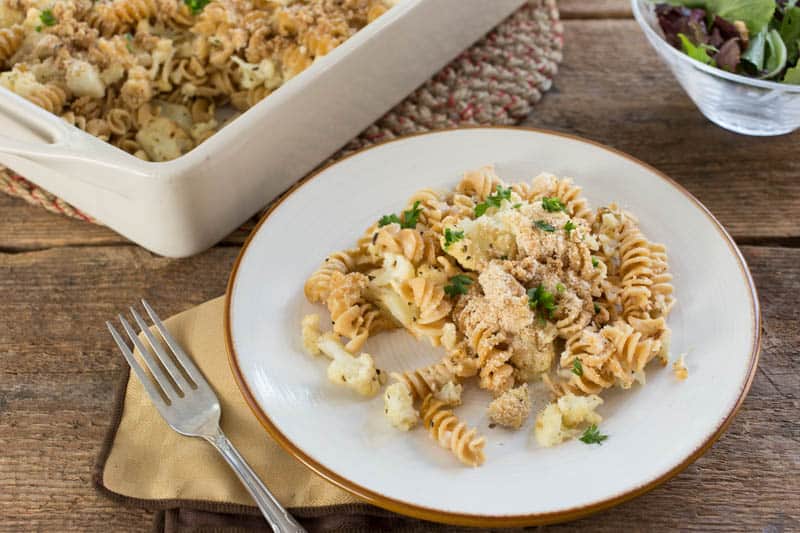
<point>149,76</point>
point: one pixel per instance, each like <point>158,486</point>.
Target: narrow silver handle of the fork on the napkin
<point>278,517</point>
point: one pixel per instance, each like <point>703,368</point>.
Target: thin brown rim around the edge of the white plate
<point>435,515</point>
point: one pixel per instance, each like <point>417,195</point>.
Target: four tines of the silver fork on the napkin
<point>174,373</point>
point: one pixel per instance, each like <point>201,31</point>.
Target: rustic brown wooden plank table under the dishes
<point>60,279</point>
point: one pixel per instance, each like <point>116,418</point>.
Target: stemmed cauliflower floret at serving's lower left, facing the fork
<point>357,373</point>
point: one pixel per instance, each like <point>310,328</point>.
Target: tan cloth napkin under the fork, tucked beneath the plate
<point>148,460</point>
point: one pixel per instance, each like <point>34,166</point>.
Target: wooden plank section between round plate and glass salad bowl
<point>612,88</point>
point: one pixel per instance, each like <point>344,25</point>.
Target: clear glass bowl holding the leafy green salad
<point>736,103</point>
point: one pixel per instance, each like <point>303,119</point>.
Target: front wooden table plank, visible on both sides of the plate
<point>58,367</point>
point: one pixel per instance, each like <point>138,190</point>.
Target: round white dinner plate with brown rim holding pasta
<point>654,431</point>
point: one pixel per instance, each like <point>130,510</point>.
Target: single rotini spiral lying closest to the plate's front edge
<point>451,433</point>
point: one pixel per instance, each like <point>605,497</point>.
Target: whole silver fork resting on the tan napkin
<point>189,405</point>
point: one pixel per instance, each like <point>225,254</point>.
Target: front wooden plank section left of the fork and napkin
<point>58,370</point>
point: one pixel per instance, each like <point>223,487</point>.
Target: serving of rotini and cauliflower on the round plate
<point>518,284</point>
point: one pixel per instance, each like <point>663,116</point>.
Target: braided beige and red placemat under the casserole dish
<point>495,82</point>
